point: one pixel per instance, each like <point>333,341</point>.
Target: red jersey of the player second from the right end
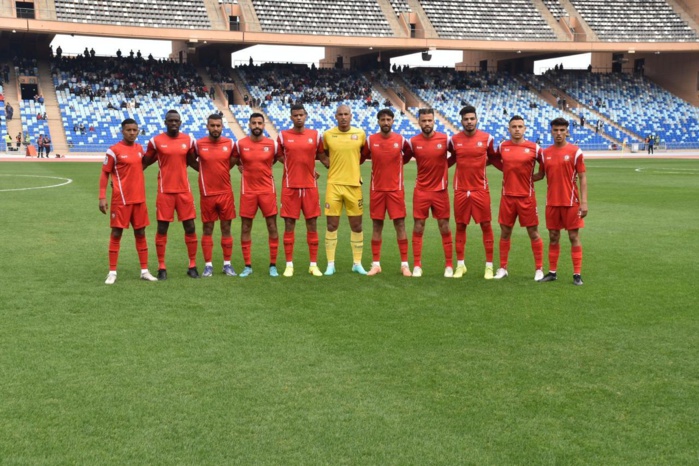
<point>518,161</point>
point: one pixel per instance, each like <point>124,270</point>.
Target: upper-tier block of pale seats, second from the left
<point>319,17</point>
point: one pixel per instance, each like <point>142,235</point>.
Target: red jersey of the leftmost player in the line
<point>124,163</point>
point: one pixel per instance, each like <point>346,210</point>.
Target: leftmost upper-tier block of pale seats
<point>181,14</point>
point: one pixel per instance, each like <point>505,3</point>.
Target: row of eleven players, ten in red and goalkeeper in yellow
<point>342,150</point>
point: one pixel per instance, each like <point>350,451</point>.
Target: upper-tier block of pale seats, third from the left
<point>472,19</point>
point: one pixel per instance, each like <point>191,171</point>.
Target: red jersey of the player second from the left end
<point>171,154</point>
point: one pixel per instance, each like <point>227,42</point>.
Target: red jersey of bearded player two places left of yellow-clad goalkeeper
<point>257,159</point>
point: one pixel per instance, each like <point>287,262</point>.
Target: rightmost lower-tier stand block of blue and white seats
<point>636,104</point>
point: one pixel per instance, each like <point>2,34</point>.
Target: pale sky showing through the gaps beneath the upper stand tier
<point>274,53</point>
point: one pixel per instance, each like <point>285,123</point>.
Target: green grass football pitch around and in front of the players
<point>350,369</point>
